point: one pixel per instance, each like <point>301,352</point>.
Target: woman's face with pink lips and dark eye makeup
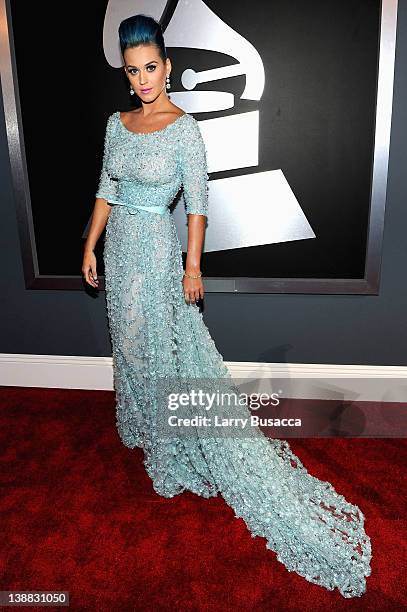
<point>146,71</point>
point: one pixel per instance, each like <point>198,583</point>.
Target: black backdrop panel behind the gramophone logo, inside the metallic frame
<point>317,116</point>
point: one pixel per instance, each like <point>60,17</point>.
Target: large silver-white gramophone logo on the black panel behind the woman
<point>247,210</point>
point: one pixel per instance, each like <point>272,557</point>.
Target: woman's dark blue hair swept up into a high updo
<point>141,30</point>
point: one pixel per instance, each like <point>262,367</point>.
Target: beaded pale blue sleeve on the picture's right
<point>194,169</point>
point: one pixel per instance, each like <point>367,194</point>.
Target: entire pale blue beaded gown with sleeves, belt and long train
<point>156,335</point>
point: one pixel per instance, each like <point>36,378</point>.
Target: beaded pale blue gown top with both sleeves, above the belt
<point>163,161</point>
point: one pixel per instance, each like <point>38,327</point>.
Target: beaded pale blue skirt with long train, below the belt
<point>155,335</point>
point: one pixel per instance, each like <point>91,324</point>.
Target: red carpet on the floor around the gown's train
<point>79,514</point>
